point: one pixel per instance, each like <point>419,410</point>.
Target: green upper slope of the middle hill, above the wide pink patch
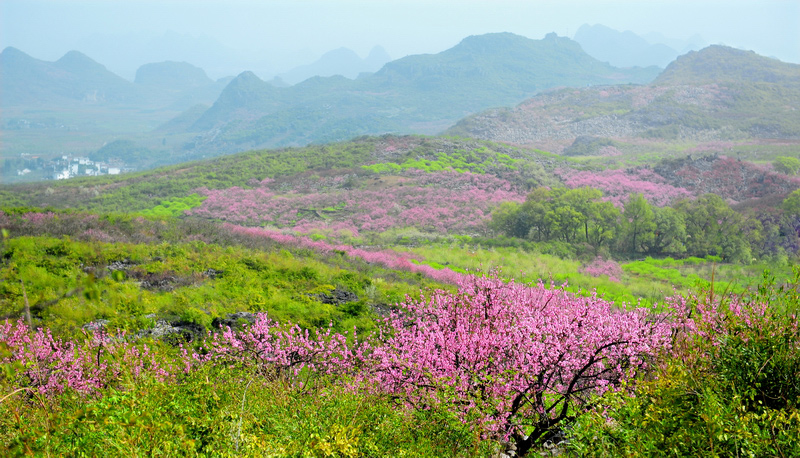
<point>144,190</point>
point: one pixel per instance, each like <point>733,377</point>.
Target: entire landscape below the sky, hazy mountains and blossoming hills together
<point>509,248</point>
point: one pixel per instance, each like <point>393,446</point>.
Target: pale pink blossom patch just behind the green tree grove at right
<point>617,185</point>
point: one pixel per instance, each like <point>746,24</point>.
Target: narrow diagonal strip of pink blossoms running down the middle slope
<point>386,258</point>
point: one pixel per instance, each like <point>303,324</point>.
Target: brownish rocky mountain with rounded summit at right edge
<point>718,93</point>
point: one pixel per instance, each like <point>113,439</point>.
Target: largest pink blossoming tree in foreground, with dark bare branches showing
<point>516,356</point>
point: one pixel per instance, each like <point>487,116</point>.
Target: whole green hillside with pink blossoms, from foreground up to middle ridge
<point>319,301</point>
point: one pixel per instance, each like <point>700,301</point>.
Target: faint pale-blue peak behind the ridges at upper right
<point>623,49</point>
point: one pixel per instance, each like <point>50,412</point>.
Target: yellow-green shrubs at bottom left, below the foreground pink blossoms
<point>230,412</point>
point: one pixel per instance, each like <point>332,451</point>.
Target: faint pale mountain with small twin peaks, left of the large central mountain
<point>342,61</point>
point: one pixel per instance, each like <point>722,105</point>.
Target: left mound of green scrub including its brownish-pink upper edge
<point>102,274</point>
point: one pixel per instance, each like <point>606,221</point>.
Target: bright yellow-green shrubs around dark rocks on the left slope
<point>68,283</point>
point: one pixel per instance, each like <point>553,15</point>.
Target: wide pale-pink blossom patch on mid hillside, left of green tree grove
<point>441,202</point>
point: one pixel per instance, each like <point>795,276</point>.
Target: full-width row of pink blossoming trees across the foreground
<point>517,362</point>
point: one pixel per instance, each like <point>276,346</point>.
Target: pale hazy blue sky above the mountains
<point>272,36</point>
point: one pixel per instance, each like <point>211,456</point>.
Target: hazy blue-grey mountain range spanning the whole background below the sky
<point>563,93</point>
